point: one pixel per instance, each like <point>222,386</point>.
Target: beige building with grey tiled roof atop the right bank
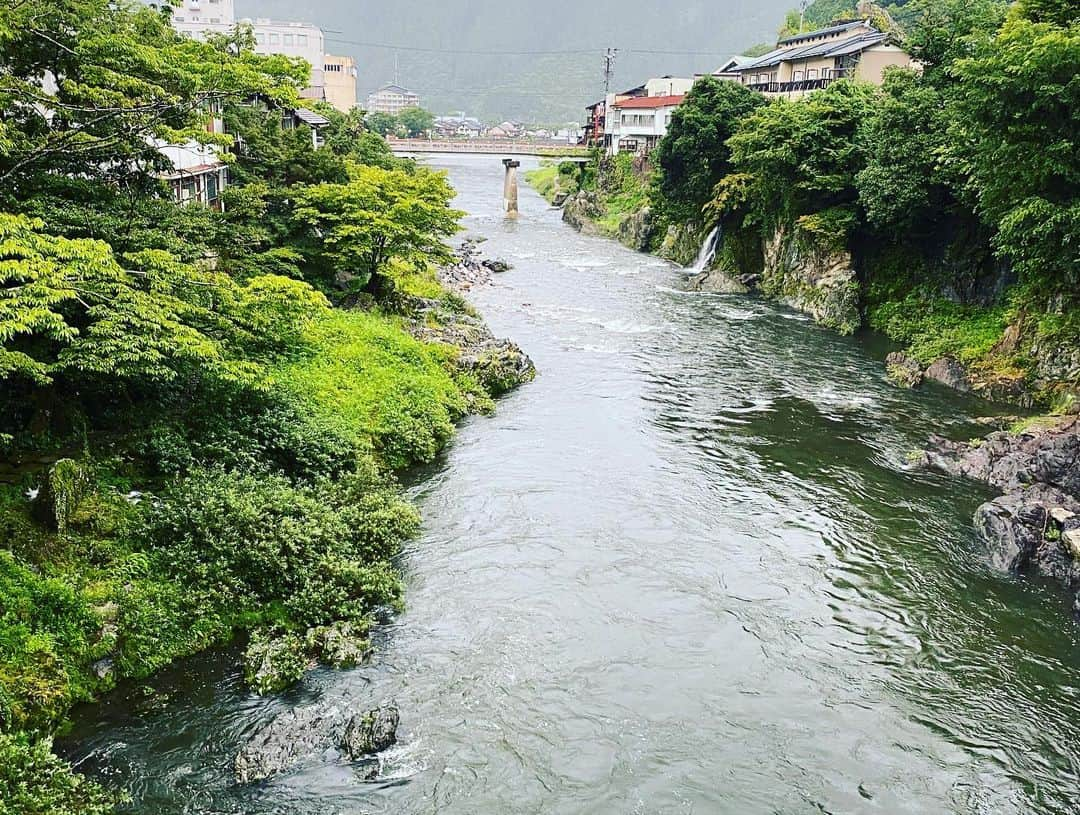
<point>812,61</point>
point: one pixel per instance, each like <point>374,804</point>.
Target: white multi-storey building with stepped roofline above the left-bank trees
<point>197,18</point>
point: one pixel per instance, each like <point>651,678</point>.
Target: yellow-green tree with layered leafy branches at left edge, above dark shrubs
<point>69,307</point>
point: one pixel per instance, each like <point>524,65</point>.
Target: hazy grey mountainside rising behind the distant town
<point>530,87</point>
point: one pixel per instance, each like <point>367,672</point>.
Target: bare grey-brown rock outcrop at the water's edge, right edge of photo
<point>1035,525</point>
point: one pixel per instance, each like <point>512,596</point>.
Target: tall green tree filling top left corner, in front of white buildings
<point>124,80</point>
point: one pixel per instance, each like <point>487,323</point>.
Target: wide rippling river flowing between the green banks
<point>687,570</point>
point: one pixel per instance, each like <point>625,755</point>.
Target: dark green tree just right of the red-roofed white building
<point>694,157</point>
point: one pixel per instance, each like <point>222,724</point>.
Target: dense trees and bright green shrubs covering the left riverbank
<point>197,436</point>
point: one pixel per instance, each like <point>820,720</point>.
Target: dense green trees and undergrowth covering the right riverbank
<point>954,187</point>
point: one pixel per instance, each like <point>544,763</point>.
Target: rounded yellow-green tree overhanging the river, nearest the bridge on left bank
<point>357,228</point>
